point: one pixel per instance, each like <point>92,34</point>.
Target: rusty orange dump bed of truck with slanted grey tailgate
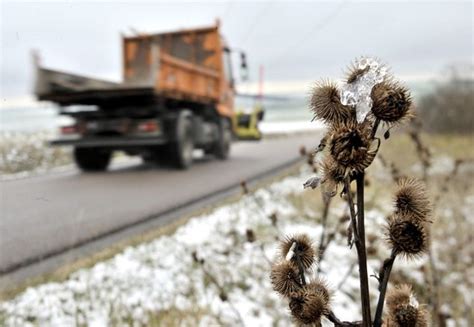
<point>185,66</point>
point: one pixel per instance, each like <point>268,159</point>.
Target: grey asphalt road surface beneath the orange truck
<point>45,215</point>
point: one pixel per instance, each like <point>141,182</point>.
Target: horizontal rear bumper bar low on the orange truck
<point>113,142</point>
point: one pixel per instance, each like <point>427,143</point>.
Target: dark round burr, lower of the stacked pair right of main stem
<point>407,236</point>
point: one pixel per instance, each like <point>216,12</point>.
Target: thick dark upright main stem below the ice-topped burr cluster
<point>362,255</point>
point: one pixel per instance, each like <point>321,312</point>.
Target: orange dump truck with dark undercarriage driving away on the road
<point>177,94</point>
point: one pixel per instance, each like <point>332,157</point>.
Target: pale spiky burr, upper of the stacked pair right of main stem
<point>411,200</point>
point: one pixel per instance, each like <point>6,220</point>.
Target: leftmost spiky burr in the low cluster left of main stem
<point>284,277</point>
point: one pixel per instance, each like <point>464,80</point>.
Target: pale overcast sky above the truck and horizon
<point>295,41</point>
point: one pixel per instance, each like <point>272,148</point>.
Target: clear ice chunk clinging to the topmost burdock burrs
<point>358,92</point>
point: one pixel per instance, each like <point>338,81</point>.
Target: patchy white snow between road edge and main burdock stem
<point>146,280</point>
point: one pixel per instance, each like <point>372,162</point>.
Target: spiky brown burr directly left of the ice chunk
<point>326,104</point>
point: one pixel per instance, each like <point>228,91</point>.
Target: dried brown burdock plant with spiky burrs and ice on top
<point>368,99</point>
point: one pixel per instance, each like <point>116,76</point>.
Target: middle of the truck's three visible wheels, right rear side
<point>181,150</point>
